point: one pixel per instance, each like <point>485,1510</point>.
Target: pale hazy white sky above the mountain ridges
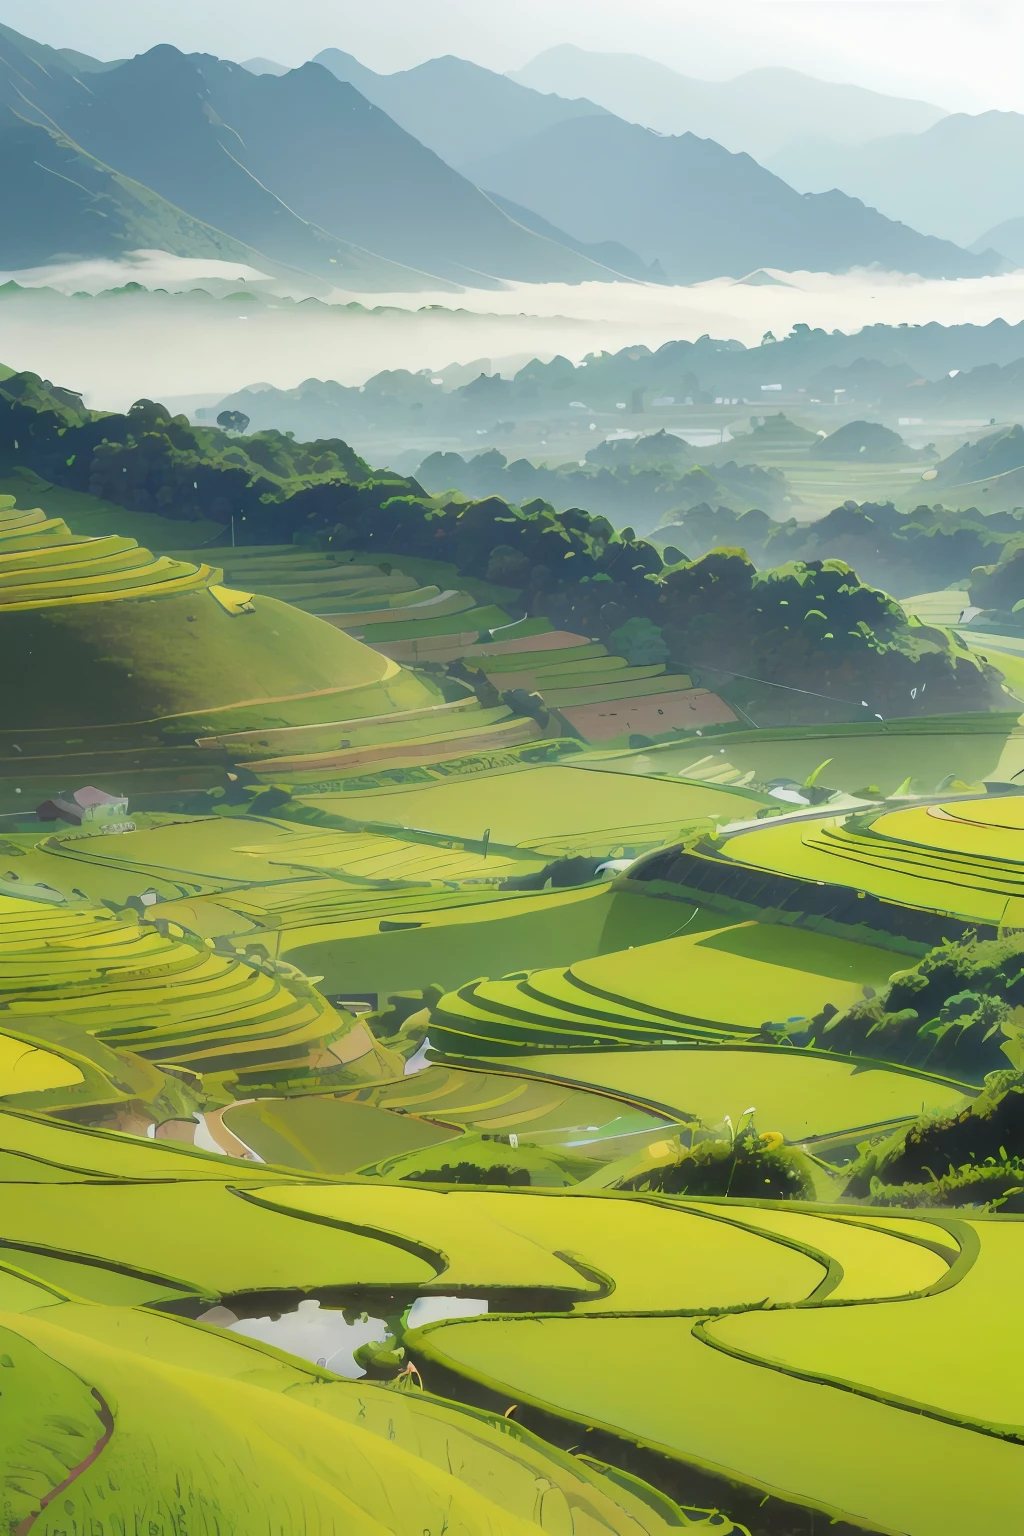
<point>963,55</point>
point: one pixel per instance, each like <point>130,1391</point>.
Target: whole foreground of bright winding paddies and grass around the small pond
<point>137,1388</point>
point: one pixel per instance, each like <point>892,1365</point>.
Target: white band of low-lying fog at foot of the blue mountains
<point>121,348</point>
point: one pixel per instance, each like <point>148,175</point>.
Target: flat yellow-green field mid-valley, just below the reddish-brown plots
<point>544,804</point>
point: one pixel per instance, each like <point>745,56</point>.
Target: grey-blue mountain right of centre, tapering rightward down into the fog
<point>701,211</point>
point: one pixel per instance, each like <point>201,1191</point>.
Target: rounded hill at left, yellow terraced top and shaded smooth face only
<point>108,634</point>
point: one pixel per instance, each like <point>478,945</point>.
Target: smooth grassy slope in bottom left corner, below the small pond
<point>228,1429</point>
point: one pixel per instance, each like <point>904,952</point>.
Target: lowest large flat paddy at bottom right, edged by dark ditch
<point>652,1382</point>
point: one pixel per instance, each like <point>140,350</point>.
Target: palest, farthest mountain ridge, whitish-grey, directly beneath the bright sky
<point>759,111</point>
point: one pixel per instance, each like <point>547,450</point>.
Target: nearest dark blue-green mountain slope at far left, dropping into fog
<point>71,207</point>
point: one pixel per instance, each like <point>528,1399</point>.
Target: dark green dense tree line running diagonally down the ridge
<point>804,641</point>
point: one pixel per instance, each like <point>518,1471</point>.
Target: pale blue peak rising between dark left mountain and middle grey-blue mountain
<point>458,110</point>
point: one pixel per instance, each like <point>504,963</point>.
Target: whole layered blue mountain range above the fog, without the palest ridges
<point>305,170</point>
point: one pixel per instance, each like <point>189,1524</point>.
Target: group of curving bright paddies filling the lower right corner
<point>756,1409</point>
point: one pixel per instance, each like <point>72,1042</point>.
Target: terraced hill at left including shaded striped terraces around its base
<point>147,666</point>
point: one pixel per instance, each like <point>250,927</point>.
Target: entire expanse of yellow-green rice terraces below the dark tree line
<point>424,1117</point>
